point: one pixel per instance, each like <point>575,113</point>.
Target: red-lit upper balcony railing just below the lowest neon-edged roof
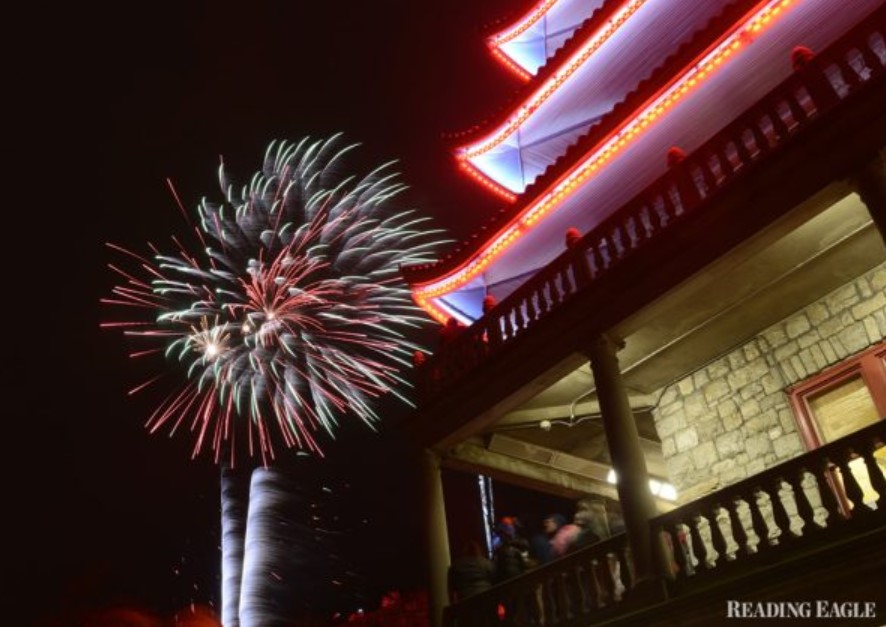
<point>803,100</point>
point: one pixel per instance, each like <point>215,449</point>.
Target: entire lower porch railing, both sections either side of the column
<point>814,501</point>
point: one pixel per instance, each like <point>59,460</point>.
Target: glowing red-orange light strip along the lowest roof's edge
<point>696,73</point>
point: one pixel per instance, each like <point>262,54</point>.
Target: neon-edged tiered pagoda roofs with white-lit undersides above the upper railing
<point>591,128</point>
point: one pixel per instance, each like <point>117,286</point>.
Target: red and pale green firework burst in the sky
<point>291,314</point>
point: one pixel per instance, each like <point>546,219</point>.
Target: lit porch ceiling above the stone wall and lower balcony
<point>810,252</point>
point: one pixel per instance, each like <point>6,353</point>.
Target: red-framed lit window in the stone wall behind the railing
<point>841,400</point>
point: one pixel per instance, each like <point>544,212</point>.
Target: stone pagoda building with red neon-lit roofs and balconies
<point>677,319</point>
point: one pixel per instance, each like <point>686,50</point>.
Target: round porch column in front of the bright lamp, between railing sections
<point>637,502</point>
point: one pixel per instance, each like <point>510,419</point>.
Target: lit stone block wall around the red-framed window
<point>732,418</point>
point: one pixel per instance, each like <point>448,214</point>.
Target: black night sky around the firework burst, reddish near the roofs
<point>114,101</point>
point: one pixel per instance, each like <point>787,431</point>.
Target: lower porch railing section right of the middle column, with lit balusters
<point>819,496</point>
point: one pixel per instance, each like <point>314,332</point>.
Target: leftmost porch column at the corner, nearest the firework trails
<point>437,540</point>
